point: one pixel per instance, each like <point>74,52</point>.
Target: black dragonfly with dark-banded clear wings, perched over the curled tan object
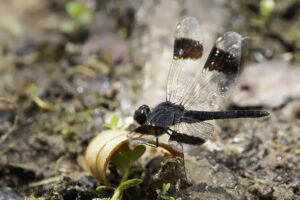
<point>195,93</point>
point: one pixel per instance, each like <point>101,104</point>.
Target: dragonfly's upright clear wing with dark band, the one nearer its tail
<point>211,86</point>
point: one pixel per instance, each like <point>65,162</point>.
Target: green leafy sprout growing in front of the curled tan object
<point>124,158</point>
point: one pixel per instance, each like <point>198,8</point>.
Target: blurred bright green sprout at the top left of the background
<point>79,17</point>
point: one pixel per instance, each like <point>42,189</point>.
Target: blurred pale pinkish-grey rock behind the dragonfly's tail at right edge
<point>269,84</point>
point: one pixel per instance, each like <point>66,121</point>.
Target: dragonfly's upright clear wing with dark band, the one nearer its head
<point>188,50</point>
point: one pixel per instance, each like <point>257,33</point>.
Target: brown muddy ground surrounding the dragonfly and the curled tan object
<point>57,88</point>
